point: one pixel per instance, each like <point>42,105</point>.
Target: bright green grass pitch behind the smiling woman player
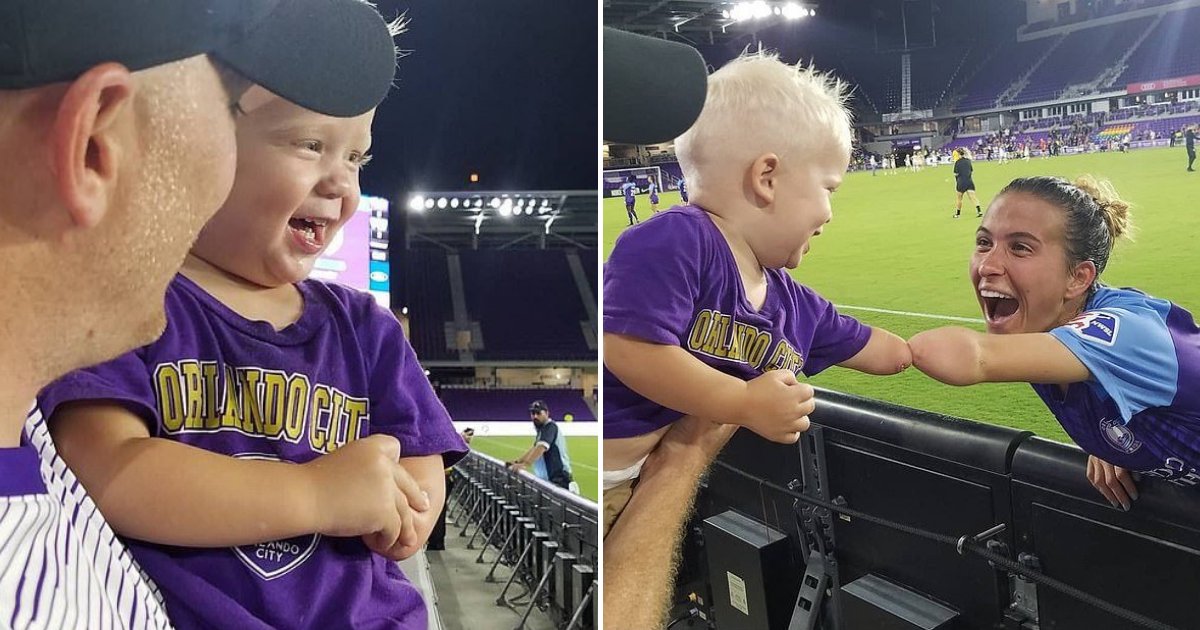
<point>895,245</point>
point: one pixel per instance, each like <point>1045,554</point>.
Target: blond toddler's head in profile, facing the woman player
<point>773,139</point>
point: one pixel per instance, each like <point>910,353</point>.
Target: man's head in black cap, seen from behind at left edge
<point>117,145</point>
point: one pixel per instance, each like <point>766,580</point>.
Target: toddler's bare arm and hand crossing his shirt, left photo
<point>172,494</point>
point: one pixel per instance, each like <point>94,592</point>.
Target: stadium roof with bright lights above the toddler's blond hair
<point>700,22</point>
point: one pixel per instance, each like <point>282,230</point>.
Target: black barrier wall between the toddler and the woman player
<point>892,518</point>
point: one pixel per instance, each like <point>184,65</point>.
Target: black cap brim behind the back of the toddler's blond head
<point>653,89</point>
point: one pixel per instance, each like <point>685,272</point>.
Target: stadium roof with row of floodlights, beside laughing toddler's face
<point>500,220</point>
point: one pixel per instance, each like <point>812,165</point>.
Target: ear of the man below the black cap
<point>86,143</point>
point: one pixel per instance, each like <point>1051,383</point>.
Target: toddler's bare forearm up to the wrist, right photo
<point>674,379</point>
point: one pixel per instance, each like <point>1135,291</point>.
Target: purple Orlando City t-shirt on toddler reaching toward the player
<point>673,280</point>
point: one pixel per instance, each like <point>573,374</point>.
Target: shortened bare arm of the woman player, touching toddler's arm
<point>962,357</point>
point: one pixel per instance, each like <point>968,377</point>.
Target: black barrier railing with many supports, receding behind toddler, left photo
<point>545,538</point>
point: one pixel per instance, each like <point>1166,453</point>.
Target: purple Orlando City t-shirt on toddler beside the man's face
<point>226,385</point>
